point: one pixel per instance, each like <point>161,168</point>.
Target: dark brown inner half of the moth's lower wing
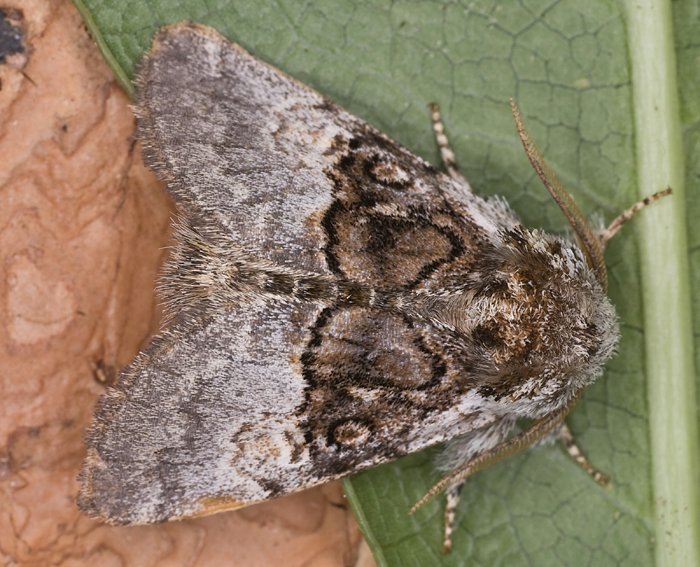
<point>378,388</point>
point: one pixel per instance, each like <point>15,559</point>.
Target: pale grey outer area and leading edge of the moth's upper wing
<point>241,143</point>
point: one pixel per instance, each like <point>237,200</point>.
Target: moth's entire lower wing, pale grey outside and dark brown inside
<point>259,401</point>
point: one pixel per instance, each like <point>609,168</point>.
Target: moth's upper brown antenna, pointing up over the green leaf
<point>589,242</point>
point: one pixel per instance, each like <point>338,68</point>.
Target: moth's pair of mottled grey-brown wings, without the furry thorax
<point>293,357</point>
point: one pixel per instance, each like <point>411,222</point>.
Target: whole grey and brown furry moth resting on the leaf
<point>332,302</point>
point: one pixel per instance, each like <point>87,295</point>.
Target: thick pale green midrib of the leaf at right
<point>666,285</point>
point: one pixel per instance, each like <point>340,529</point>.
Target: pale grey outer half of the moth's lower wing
<point>201,419</point>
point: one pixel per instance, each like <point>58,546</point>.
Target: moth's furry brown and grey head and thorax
<point>537,320</point>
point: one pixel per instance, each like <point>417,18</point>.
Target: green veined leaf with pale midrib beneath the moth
<point>598,87</point>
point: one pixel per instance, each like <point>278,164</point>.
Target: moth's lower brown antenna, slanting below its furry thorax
<point>531,435</point>
